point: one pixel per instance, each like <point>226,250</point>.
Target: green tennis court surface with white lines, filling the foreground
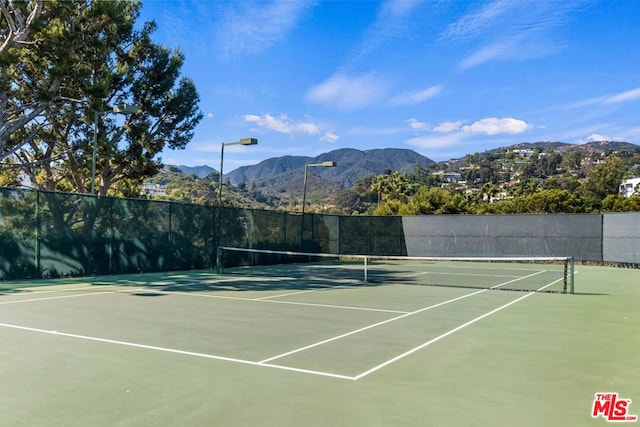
<point>202,349</point>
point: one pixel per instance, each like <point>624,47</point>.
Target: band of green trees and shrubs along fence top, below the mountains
<point>421,192</point>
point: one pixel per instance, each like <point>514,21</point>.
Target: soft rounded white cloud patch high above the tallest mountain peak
<point>349,93</point>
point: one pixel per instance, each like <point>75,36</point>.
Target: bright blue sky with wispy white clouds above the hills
<point>444,78</point>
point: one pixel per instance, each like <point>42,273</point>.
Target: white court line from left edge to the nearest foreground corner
<point>173,350</point>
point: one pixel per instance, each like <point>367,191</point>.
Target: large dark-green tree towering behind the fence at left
<point>86,57</point>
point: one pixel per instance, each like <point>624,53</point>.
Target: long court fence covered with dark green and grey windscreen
<point>47,234</point>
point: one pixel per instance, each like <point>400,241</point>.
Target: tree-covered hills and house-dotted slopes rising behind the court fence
<point>278,182</point>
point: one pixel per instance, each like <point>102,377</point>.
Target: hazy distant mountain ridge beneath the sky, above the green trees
<point>279,181</point>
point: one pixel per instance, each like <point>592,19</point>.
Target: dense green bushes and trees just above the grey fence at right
<point>533,194</point>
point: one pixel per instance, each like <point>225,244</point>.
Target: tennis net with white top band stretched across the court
<point>529,274</point>
